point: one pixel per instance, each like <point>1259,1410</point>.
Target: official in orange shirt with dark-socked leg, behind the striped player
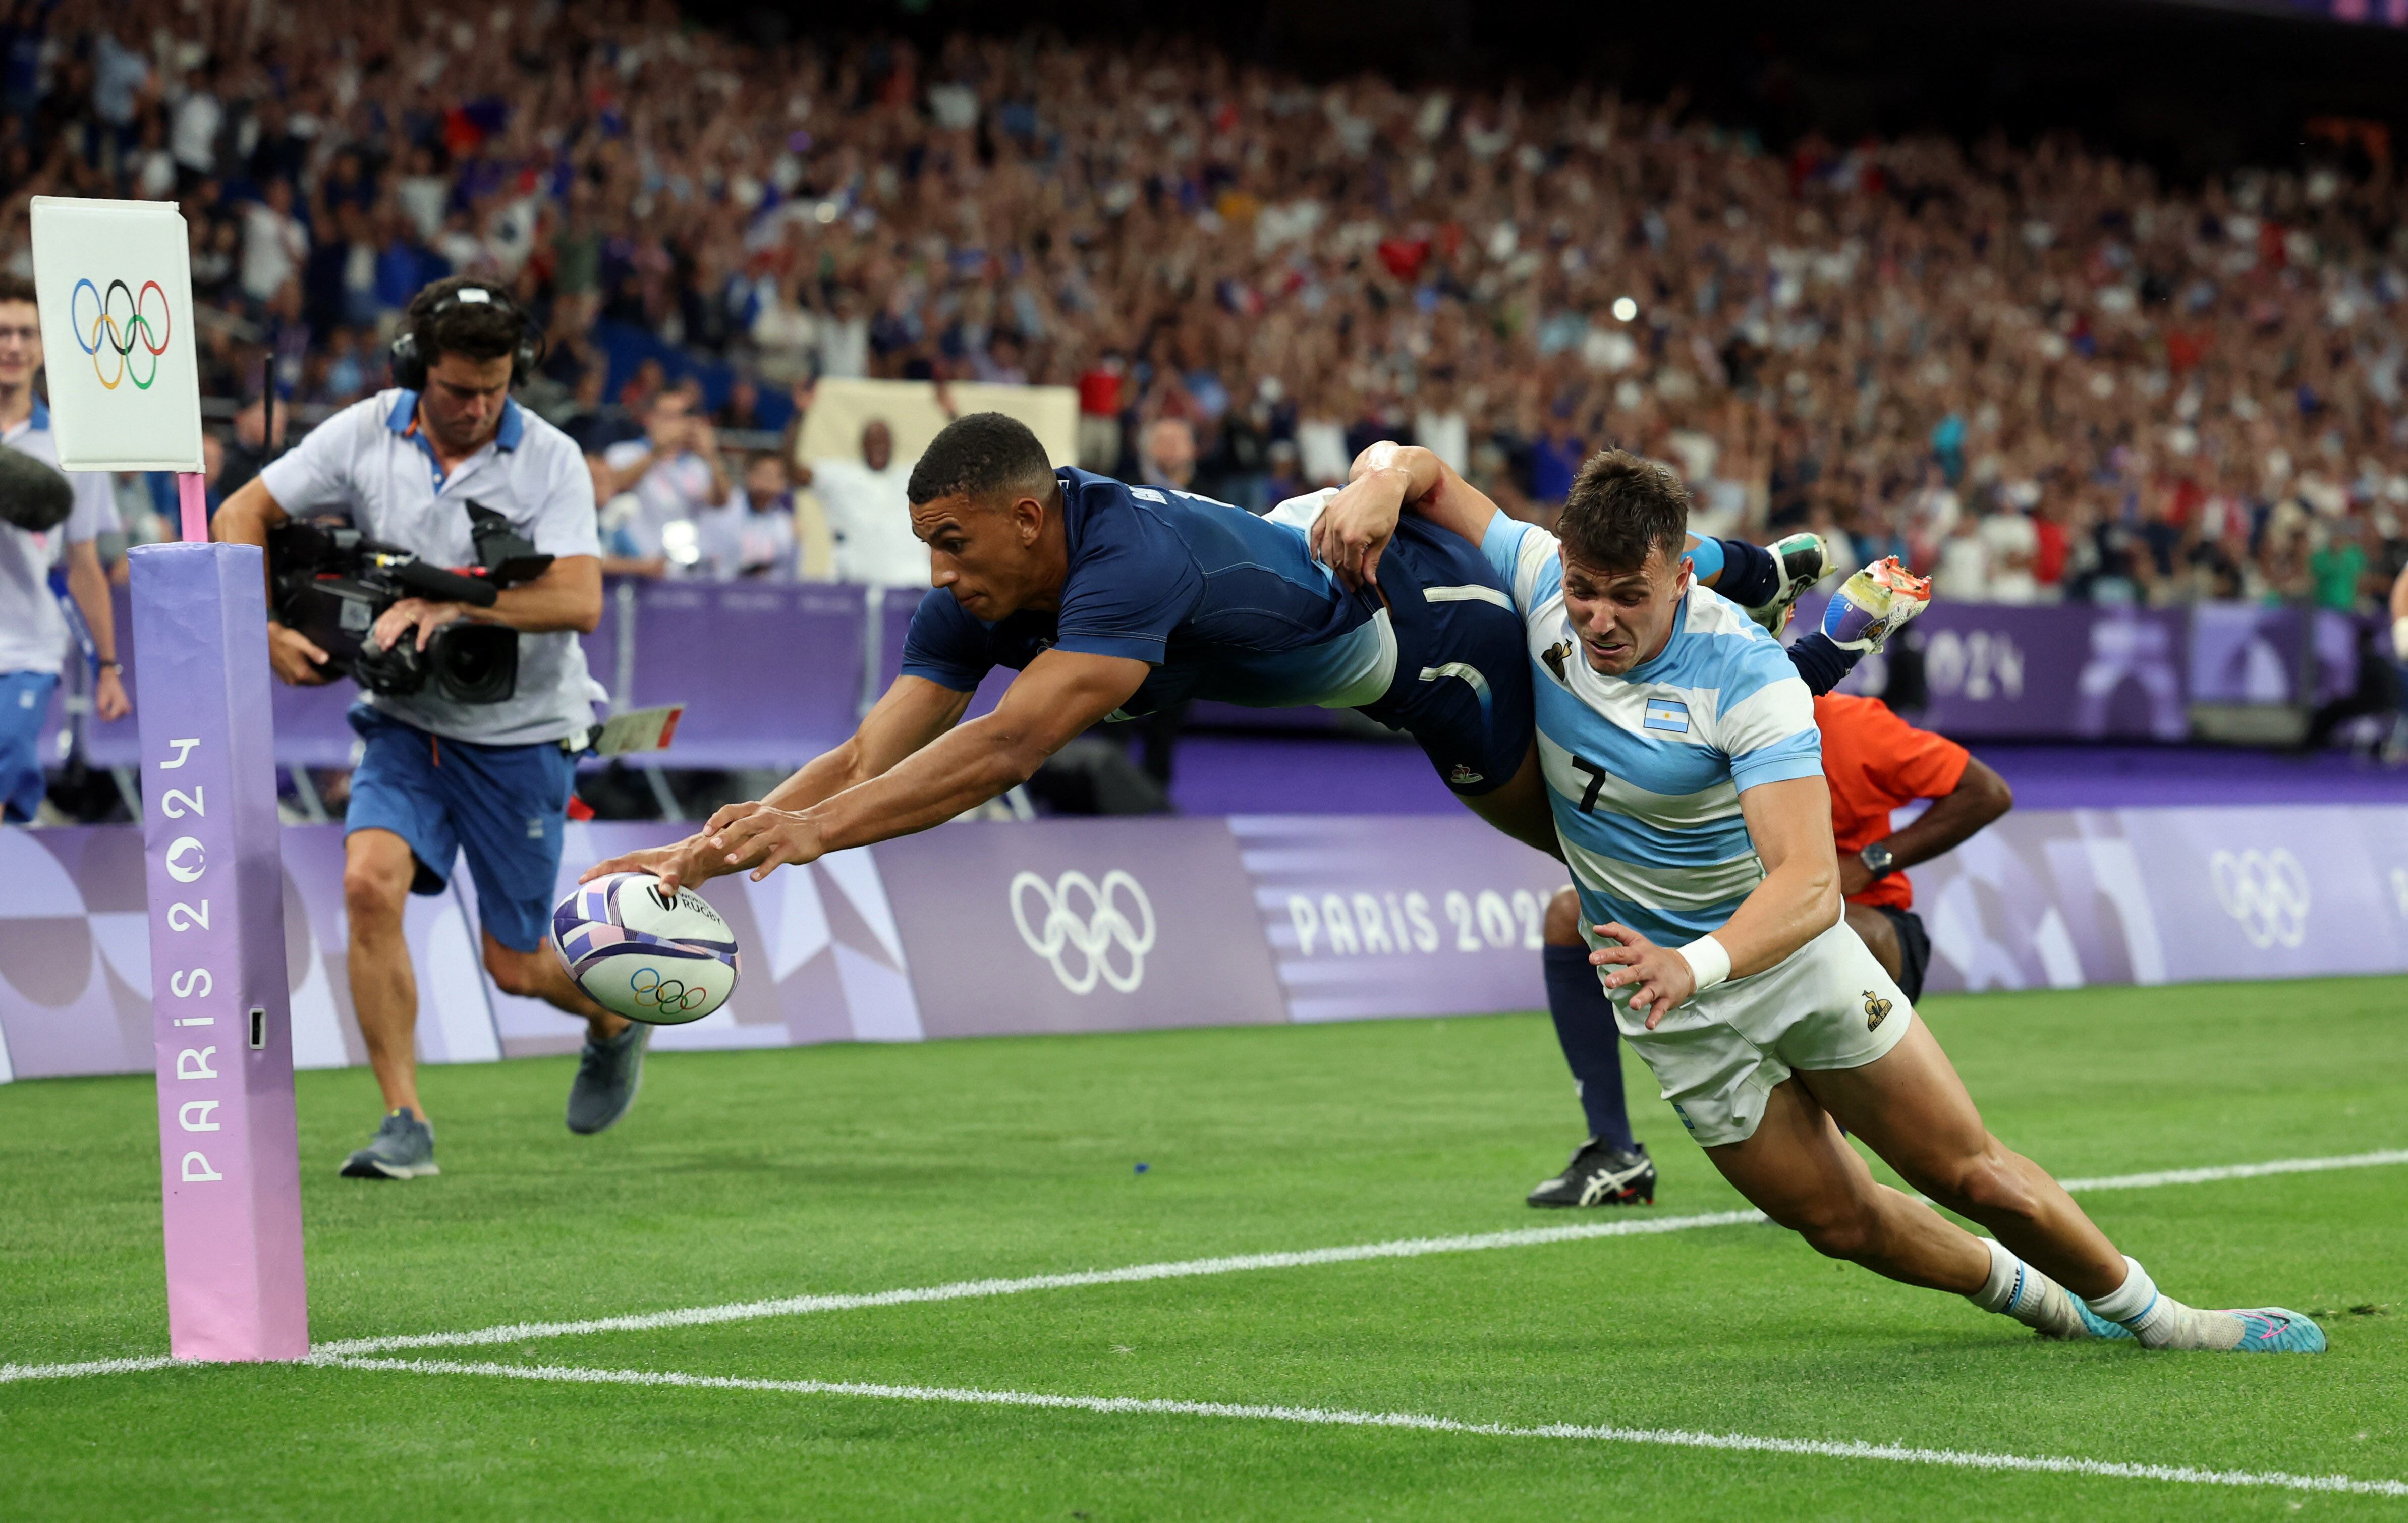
<point>1875,761</point>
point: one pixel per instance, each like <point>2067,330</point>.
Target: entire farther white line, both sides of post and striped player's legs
<point>960,1291</point>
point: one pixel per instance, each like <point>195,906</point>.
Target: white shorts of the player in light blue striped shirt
<point>1716,1060</point>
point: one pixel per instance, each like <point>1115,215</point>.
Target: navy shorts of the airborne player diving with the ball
<point>1463,665</point>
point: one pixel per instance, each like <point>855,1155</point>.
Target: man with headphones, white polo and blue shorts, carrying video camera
<point>442,776</point>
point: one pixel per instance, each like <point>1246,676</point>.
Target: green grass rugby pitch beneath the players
<point>878,1168</point>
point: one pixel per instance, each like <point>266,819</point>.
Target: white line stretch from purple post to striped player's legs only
<point>960,1291</point>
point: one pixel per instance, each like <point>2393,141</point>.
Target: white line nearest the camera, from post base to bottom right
<point>1956,1459</point>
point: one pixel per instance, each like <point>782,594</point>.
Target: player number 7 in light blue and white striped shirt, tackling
<point>1684,776</point>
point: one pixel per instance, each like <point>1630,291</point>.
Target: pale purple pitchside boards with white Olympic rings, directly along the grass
<point>1131,925</point>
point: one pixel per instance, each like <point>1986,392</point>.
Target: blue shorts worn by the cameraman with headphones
<point>504,805</point>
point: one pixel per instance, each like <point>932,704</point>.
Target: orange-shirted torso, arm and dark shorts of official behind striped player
<point>1875,764</point>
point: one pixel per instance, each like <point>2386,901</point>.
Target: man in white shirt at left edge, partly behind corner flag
<point>33,629</point>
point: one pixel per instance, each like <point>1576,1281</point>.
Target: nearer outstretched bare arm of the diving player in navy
<point>1056,699</point>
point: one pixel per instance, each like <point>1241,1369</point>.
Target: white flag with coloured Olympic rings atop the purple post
<point>119,340</point>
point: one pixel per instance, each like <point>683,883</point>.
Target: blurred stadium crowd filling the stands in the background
<point>2031,369</point>
